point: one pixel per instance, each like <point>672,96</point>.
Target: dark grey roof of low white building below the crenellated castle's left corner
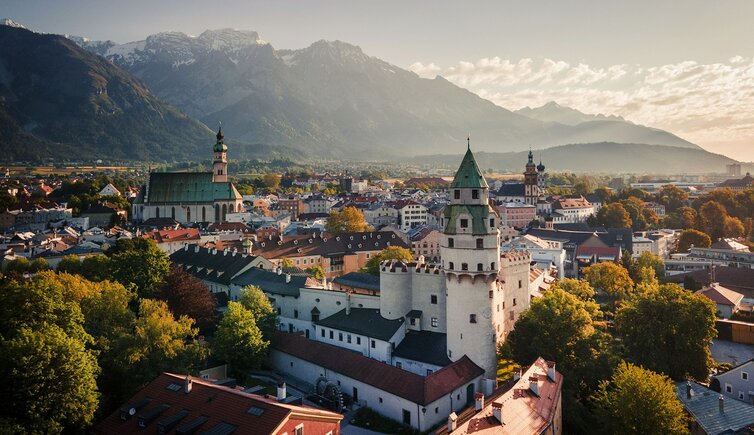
<point>363,321</point>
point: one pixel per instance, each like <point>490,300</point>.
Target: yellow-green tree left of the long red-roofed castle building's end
<point>239,340</point>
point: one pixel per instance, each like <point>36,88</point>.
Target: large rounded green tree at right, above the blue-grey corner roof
<point>668,331</point>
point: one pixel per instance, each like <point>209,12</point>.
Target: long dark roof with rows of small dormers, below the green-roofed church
<point>203,264</point>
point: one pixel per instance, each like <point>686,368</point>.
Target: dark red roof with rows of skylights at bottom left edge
<point>218,403</point>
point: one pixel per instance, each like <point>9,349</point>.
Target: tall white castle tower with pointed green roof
<point>470,250</point>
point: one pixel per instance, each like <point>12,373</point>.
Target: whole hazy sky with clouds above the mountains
<point>686,66</point>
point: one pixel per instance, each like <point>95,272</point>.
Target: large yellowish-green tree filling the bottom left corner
<point>49,380</point>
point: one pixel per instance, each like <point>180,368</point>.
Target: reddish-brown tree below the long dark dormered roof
<point>188,296</point>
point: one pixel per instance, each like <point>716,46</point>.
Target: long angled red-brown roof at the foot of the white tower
<point>410,386</point>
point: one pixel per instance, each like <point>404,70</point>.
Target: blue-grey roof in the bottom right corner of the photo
<point>704,408</point>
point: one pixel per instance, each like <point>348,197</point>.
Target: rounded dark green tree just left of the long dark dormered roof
<point>140,263</point>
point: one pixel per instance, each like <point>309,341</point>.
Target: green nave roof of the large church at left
<point>188,188</point>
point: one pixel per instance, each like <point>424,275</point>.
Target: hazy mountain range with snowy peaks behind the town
<point>154,99</point>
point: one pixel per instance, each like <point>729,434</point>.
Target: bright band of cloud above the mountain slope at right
<point>706,103</point>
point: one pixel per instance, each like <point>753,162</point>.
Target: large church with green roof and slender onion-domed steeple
<point>190,196</point>
